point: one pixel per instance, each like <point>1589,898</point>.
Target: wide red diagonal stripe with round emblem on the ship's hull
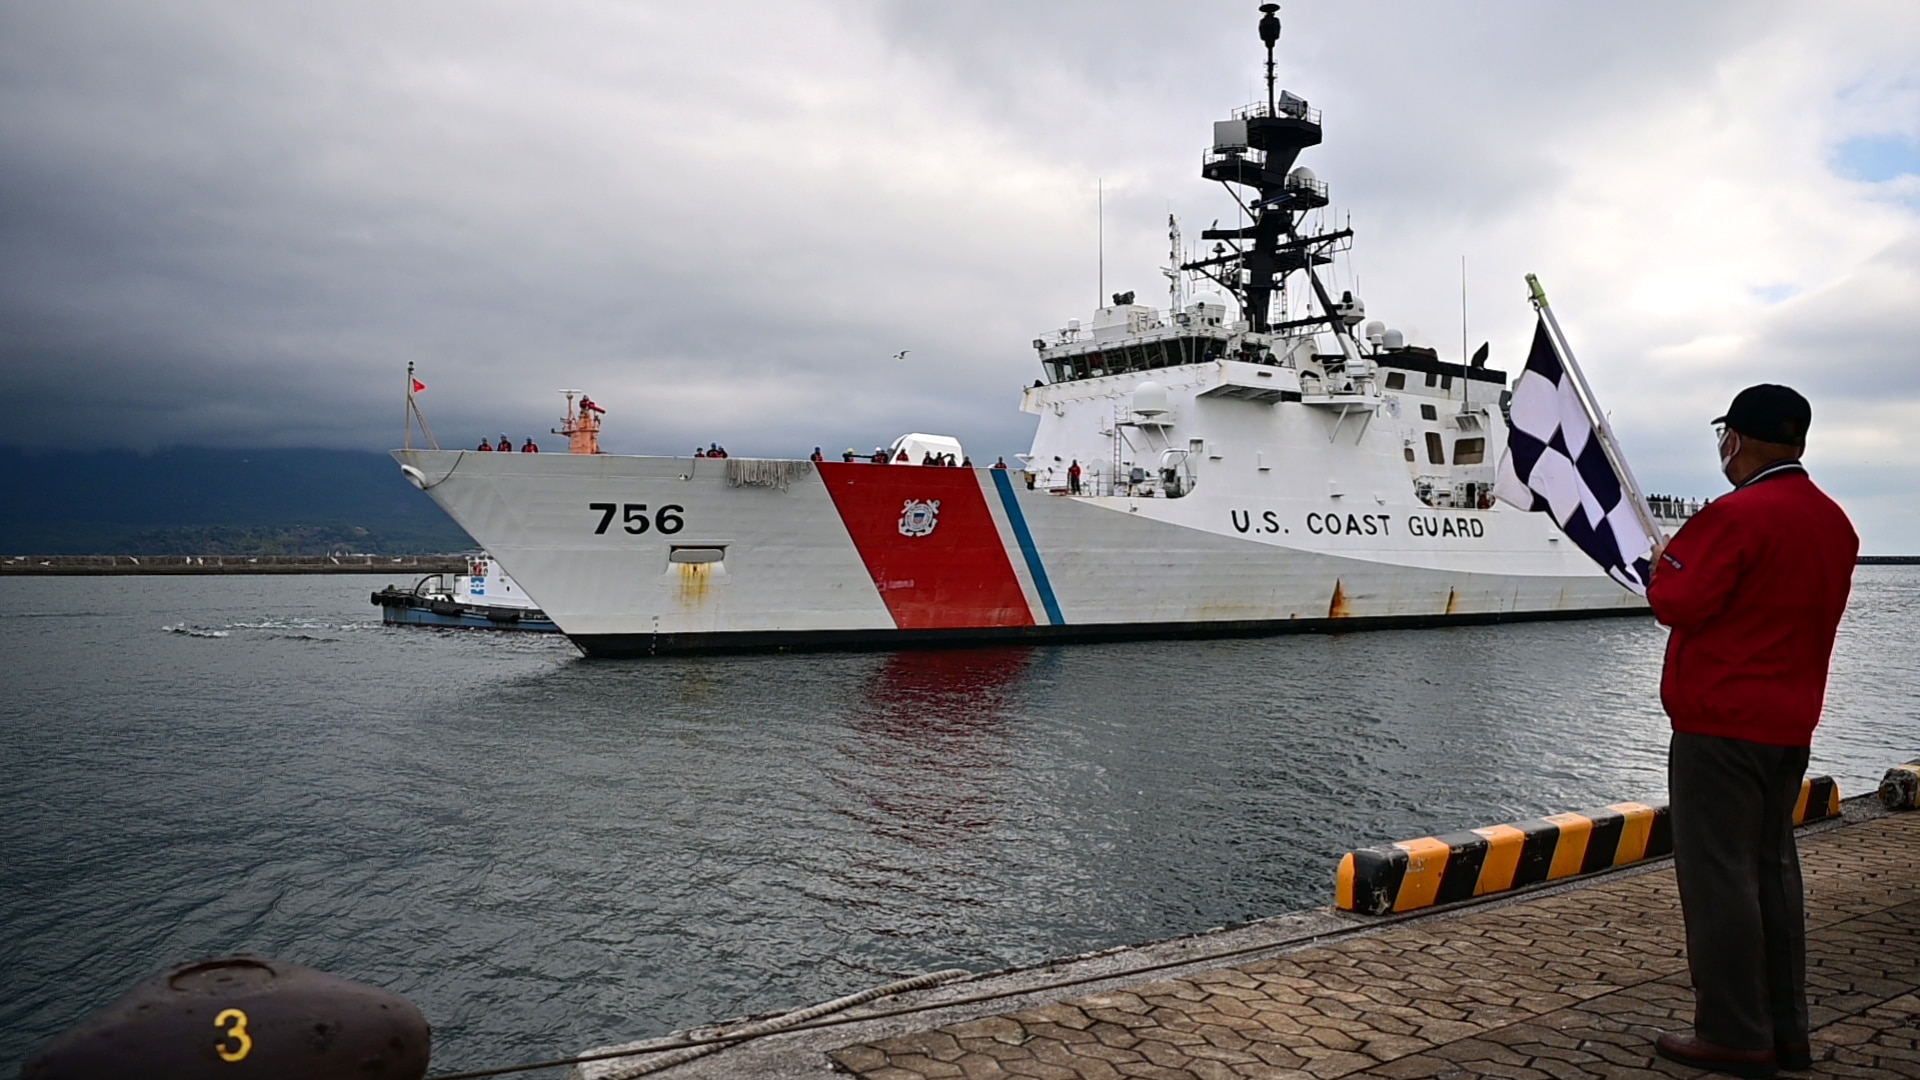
<point>949,577</point>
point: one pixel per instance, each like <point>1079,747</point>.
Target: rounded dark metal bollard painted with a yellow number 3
<point>243,1019</point>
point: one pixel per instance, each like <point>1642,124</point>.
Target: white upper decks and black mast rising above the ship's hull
<point>1149,401</point>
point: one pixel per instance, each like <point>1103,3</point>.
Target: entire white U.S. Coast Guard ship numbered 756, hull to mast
<point>1255,458</point>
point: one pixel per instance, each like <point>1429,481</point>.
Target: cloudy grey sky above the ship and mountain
<point>233,224</point>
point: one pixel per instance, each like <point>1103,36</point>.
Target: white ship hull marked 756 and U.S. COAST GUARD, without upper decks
<point>836,558</point>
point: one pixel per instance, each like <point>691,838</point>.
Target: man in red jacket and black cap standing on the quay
<point>1752,589</point>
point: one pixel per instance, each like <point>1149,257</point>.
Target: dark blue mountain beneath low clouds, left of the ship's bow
<point>197,501</point>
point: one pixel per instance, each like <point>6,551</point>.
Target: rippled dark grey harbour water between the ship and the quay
<point>548,852</point>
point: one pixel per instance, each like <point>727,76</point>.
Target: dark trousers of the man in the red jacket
<point>1740,887</point>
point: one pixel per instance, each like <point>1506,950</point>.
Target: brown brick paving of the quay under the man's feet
<point>1564,987</point>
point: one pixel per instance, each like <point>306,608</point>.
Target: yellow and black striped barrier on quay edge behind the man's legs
<point>1462,866</point>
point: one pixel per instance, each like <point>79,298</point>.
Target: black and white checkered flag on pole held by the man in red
<point>1562,460</point>
